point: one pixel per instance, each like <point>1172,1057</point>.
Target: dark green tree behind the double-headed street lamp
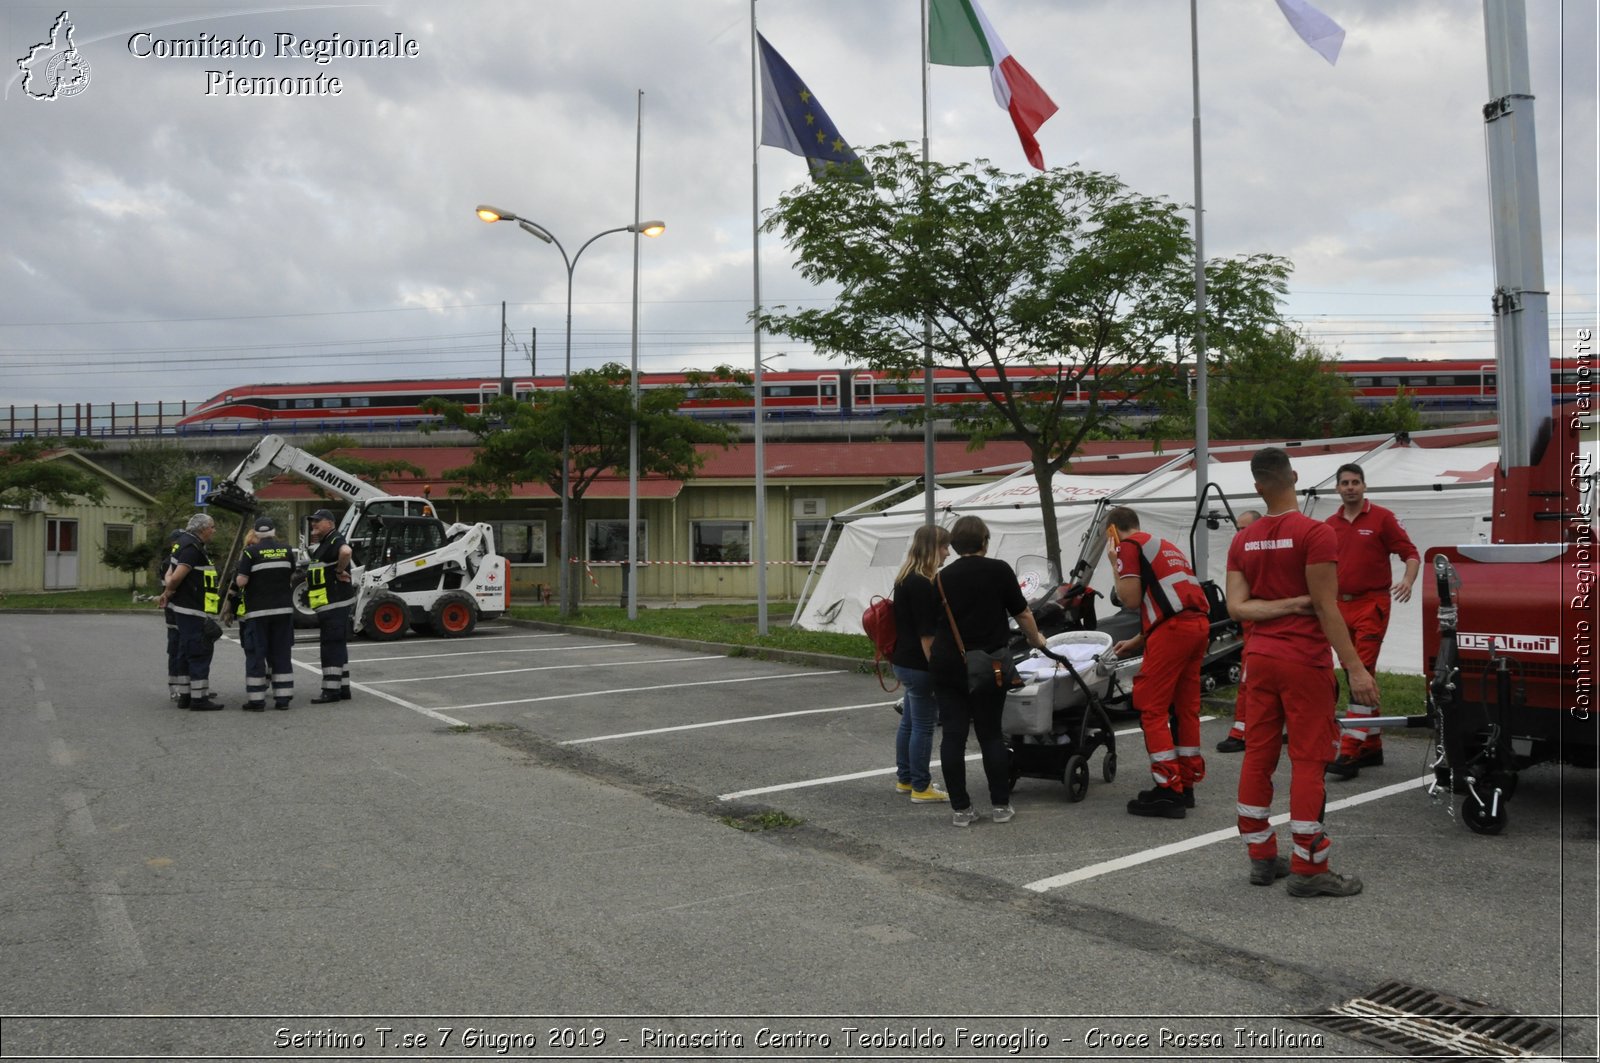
<point>521,443</point>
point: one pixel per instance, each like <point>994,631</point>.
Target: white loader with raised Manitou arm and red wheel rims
<point>410,569</point>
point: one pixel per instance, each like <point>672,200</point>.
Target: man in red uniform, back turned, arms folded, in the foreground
<point>1281,577</point>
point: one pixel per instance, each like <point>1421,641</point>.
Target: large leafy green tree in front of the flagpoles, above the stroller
<point>1068,270</point>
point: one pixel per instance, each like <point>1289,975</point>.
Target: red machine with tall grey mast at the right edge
<point>1510,624</point>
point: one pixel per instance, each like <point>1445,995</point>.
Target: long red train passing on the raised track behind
<point>794,393</point>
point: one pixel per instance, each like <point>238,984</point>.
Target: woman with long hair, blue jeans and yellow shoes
<point>916,617</point>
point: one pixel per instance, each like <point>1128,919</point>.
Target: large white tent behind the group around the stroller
<point>1442,497</point>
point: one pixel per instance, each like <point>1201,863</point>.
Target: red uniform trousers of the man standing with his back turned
<point>1303,697</point>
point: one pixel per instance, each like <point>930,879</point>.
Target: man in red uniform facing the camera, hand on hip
<point>1369,536</point>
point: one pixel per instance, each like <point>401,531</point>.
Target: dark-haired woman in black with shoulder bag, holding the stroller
<point>980,593</point>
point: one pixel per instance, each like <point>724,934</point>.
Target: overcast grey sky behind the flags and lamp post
<point>162,243</point>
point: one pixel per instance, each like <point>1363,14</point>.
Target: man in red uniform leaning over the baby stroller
<point>1177,627</point>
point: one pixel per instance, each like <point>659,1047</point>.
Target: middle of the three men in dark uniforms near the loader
<point>265,587</point>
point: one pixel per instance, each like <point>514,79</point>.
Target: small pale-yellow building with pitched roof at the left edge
<point>58,548</point>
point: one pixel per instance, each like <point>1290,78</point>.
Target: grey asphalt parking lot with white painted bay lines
<point>532,824</point>
